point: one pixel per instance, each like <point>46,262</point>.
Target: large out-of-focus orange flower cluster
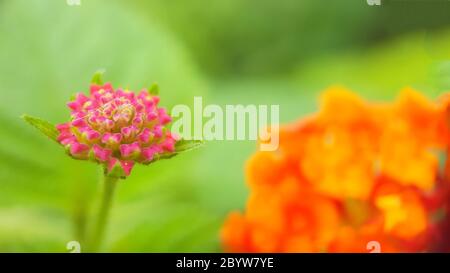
<point>352,173</point>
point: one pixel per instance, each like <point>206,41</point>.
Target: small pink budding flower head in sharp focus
<point>116,128</point>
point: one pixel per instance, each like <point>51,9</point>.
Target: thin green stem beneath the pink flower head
<point>109,185</point>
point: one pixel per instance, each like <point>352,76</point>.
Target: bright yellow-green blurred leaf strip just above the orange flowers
<point>370,72</point>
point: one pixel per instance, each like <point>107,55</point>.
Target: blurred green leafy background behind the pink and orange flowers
<point>234,51</point>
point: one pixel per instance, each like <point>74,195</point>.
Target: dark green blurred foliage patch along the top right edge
<point>234,29</point>
